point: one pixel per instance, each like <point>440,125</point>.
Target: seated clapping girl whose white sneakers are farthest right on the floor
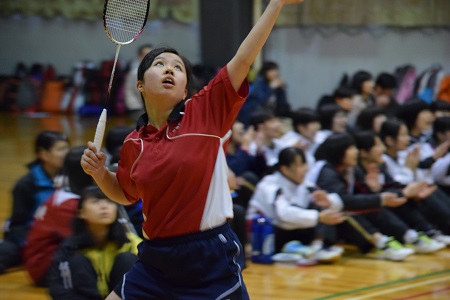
<point>374,178</point>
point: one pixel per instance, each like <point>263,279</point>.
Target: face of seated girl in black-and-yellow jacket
<point>97,211</point>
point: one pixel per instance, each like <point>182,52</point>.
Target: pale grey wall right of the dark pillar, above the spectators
<point>314,65</point>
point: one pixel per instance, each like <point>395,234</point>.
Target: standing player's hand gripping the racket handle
<point>93,162</point>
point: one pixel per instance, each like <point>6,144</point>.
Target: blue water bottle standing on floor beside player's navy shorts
<point>263,240</point>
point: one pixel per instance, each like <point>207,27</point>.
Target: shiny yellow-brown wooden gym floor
<point>354,277</point>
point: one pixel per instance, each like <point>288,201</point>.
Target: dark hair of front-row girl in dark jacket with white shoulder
<point>333,148</point>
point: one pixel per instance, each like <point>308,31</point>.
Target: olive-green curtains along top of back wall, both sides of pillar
<point>398,13</point>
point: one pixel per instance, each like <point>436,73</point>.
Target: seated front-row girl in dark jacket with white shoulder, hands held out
<point>334,172</point>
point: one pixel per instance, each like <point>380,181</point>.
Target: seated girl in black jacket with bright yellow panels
<point>93,260</point>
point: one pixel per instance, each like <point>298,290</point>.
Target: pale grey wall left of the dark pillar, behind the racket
<point>62,42</point>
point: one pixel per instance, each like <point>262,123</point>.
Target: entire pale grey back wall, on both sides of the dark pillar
<point>311,64</point>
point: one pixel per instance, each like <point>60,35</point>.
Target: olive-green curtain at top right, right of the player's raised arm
<point>398,13</point>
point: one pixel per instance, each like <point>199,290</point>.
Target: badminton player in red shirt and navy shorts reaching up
<point>174,161</point>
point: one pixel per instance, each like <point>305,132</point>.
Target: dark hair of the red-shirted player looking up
<point>148,59</point>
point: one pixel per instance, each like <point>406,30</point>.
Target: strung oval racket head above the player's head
<point>124,20</point>
